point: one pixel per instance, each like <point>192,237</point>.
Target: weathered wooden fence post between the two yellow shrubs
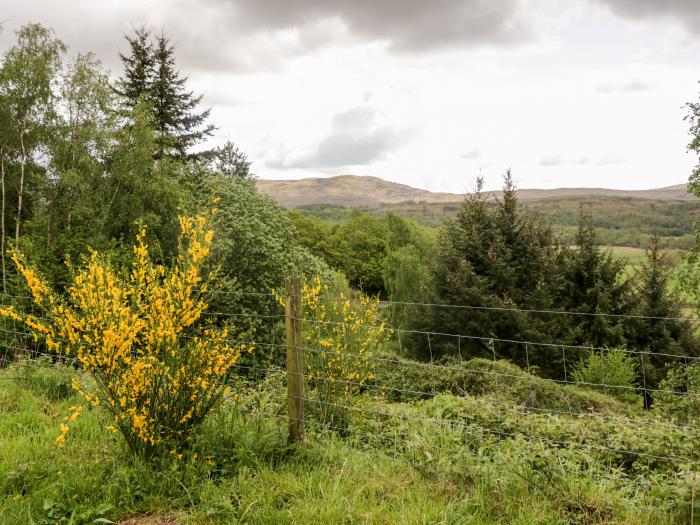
<point>295,360</point>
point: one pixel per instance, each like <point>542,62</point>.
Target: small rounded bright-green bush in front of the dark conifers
<point>615,369</point>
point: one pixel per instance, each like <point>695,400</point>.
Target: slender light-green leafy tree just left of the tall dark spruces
<point>75,189</point>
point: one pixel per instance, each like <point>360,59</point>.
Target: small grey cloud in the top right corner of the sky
<point>685,12</point>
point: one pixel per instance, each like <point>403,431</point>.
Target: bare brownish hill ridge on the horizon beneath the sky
<point>371,192</point>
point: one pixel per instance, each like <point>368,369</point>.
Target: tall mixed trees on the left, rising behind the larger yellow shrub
<point>86,161</point>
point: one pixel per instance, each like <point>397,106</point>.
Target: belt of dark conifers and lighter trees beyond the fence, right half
<point>496,273</point>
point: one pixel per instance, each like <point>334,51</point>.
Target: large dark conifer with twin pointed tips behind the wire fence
<point>495,262</point>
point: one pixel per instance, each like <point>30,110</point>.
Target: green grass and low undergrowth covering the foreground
<point>396,468</point>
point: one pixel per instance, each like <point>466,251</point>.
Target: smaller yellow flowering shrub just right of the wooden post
<point>342,334</point>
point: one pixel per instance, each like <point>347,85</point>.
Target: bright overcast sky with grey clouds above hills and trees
<point>582,93</point>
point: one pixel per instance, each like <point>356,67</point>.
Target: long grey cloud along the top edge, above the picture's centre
<point>406,25</point>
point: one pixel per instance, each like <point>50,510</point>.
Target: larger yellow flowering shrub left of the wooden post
<point>155,368</point>
